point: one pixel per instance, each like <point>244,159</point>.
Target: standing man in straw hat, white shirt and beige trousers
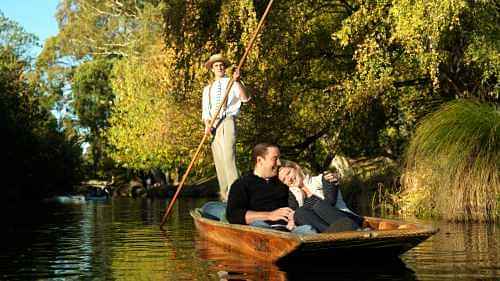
<point>224,127</point>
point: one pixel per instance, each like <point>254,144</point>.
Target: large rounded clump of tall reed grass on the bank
<point>451,167</point>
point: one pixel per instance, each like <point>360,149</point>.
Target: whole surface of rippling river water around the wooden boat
<point>120,239</point>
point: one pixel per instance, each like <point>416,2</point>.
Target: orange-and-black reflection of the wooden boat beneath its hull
<point>232,265</point>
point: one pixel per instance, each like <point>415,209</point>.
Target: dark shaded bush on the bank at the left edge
<point>38,159</point>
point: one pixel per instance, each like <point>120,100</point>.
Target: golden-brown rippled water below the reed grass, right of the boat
<point>458,252</point>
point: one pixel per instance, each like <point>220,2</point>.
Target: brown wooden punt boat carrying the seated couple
<point>388,238</point>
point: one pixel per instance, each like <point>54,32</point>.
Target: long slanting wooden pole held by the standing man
<point>228,88</point>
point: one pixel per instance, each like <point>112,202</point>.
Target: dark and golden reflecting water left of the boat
<point>117,240</point>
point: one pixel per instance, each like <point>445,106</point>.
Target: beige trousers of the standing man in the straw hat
<point>224,152</point>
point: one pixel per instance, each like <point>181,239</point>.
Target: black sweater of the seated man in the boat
<point>253,193</point>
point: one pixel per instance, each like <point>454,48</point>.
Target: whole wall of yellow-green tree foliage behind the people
<point>326,77</point>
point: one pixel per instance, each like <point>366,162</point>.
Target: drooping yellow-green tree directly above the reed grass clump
<point>412,56</point>
